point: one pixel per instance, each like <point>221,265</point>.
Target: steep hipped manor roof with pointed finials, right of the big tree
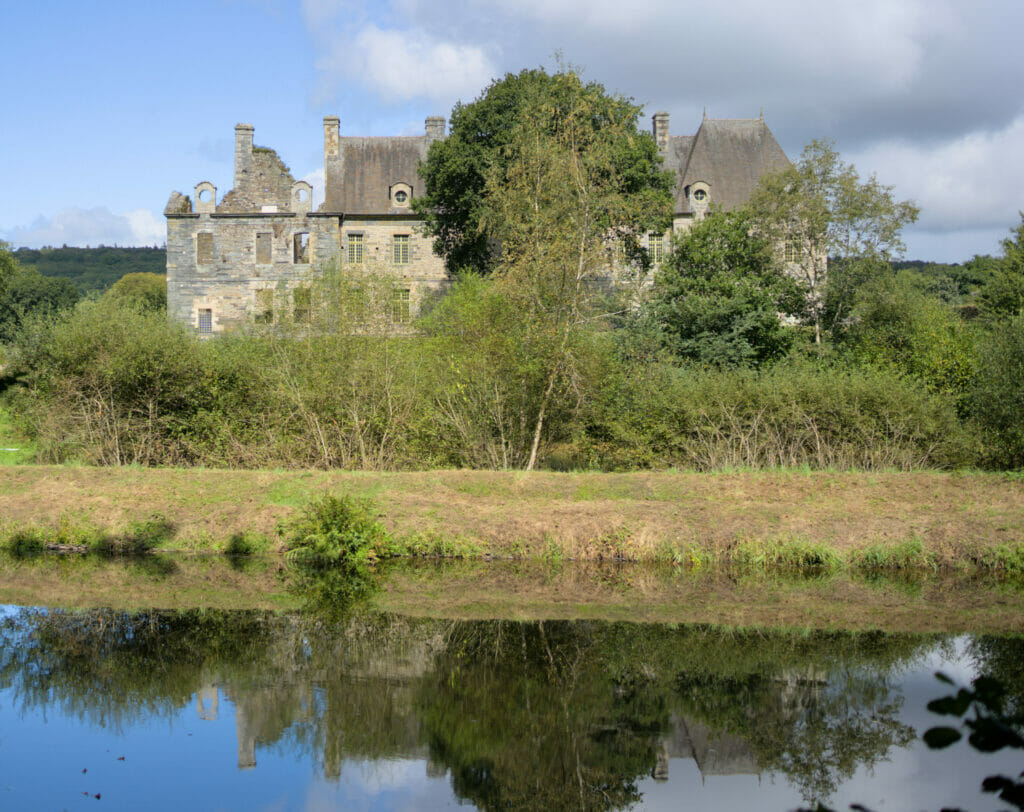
<point>730,155</point>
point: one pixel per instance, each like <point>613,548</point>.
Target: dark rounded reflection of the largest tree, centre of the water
<point>528,716</point>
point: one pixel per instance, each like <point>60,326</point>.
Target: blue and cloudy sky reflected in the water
<point>51,760</point>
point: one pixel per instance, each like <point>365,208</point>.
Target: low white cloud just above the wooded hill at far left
<point>76,227</point>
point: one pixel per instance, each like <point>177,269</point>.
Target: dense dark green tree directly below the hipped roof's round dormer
<point>720,294</point>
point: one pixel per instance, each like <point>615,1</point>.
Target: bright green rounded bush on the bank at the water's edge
<point>334,531</point>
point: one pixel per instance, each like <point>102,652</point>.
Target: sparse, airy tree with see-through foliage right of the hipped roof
<point>820,209</point>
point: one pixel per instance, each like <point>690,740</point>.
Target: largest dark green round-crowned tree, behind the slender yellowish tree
<point>457,169</point>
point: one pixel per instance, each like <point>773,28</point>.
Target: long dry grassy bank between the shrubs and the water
<point>762,520</point>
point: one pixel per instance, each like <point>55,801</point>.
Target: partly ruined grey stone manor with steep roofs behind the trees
<point>250,254</point>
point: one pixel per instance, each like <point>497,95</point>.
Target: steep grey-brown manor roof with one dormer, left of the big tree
<point>359,181</point>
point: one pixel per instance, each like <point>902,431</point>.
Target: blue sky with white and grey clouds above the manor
<point>107,107</point>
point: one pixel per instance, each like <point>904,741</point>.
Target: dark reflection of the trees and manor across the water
<point>567,715</point>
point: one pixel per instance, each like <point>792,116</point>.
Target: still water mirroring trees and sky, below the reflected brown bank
<point>105,709</point>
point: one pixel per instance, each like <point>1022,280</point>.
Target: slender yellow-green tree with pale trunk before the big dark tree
<point>574,175</point>
